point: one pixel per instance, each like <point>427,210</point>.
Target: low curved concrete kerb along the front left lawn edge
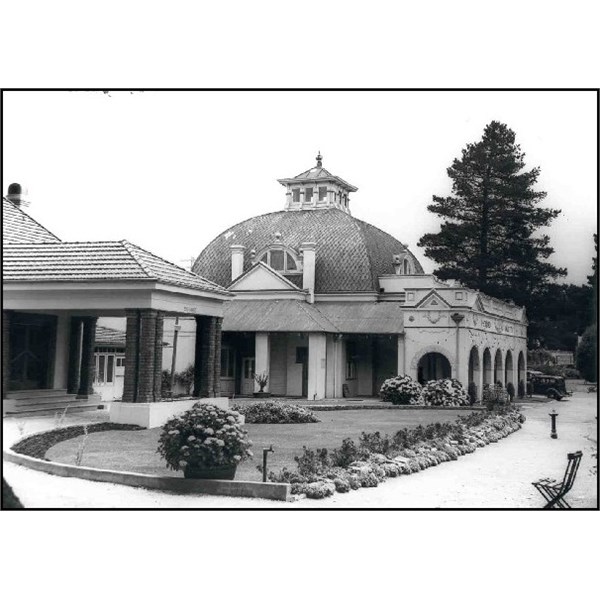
<point>212,487</point>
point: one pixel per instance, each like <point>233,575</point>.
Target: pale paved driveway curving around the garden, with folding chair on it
<point>497,476</point>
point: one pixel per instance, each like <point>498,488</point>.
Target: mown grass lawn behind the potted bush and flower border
<point>136,450</point>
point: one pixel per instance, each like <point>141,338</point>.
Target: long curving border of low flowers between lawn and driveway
<point>376,457</point>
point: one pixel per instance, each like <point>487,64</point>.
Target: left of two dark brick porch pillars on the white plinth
<point>143,356</point>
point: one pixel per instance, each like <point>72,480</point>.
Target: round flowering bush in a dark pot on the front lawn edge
<point>206,442</point>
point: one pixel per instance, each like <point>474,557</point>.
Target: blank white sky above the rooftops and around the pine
<point>170,171</point>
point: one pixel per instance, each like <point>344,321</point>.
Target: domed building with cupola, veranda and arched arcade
<point>327,305</point>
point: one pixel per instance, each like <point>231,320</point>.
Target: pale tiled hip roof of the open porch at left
<point>95,261</point>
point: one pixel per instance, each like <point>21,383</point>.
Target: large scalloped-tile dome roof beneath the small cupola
<point>350,254</point>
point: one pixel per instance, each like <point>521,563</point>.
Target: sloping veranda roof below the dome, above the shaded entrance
<point>299,316</point>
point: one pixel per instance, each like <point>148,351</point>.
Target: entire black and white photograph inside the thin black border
<point>249,299</point>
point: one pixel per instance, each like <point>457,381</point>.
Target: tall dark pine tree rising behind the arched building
<point>487,237</point>
